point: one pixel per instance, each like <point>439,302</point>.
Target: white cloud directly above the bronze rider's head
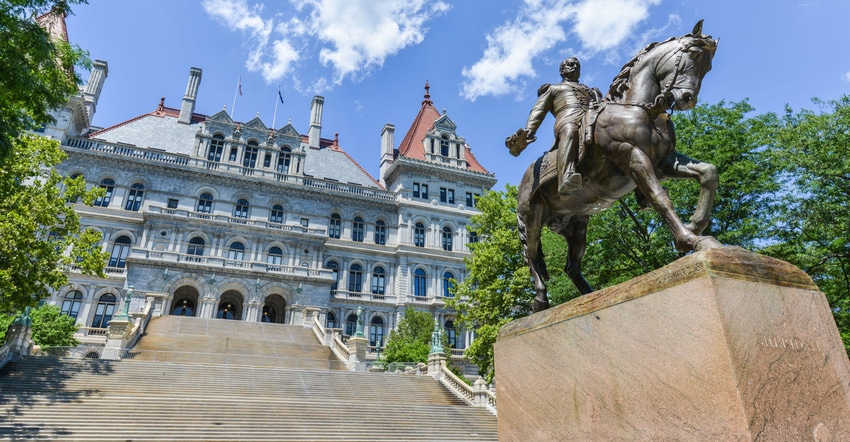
<point>507,62</point>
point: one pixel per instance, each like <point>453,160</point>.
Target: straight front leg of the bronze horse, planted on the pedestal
<point>640,169</point>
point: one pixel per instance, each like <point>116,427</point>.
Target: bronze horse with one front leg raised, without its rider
<point>631,144</point>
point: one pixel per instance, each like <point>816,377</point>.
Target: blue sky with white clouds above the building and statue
<point>483,59</point>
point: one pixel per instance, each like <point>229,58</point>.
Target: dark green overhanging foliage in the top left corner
<point>37,70</point>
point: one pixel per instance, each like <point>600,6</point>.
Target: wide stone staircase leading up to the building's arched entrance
<point>70,399</point>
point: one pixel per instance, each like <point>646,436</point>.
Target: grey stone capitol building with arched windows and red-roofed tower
<point>239,221</point>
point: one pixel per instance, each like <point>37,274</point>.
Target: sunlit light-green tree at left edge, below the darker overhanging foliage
<point>40,233</point>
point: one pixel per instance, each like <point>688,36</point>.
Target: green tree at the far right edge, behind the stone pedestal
<point>813,223</point>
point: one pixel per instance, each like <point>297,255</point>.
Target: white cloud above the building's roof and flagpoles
<point>354,36</point>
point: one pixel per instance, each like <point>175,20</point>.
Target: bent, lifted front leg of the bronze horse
<point>680,166</point>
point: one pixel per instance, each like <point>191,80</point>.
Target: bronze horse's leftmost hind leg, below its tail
<point>529,223</point>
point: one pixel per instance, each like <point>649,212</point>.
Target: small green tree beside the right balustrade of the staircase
<point>411,341</point>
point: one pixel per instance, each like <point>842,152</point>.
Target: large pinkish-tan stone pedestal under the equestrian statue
<point>723,344</point>
